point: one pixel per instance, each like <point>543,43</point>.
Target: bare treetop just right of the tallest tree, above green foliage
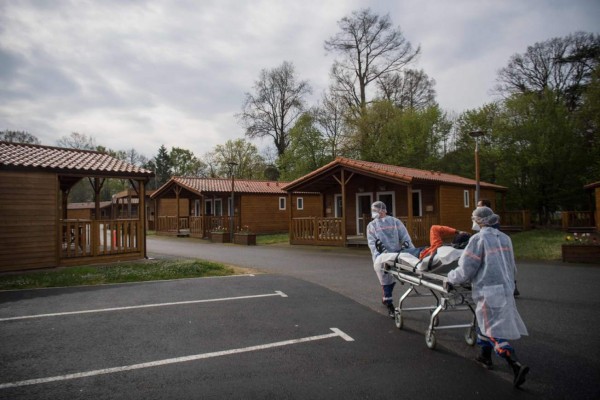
<point>410,89</point>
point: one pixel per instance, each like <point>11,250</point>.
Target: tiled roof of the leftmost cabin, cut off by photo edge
<point>30,156</point>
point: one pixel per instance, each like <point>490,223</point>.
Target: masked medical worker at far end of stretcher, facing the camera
<point>393,236</point>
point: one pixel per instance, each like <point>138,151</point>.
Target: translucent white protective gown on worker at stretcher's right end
<point>488,263</point>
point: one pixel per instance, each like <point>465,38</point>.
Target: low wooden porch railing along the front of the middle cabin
<point>199,226</point>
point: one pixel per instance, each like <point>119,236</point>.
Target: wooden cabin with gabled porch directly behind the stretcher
<point>417,197</point>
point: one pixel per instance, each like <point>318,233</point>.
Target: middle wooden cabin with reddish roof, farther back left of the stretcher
<point>196,206</point>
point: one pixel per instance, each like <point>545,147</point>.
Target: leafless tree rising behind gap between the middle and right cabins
<point>275,105</point>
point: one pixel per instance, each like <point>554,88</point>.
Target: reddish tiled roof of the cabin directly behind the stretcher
<point>405,174</point>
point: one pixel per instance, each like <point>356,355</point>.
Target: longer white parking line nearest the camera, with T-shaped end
<point>336,333</point>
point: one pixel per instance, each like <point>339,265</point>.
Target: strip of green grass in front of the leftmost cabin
<point>136,271</point>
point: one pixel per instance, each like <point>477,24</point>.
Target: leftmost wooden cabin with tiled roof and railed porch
<point>35,228</point>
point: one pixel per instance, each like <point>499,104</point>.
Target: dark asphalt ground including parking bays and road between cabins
<point>308,326</point>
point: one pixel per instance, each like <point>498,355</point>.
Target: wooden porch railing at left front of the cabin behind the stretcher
<point>317,231</point>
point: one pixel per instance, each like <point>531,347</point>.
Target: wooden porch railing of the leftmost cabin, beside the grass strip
<point>91,238</point>
